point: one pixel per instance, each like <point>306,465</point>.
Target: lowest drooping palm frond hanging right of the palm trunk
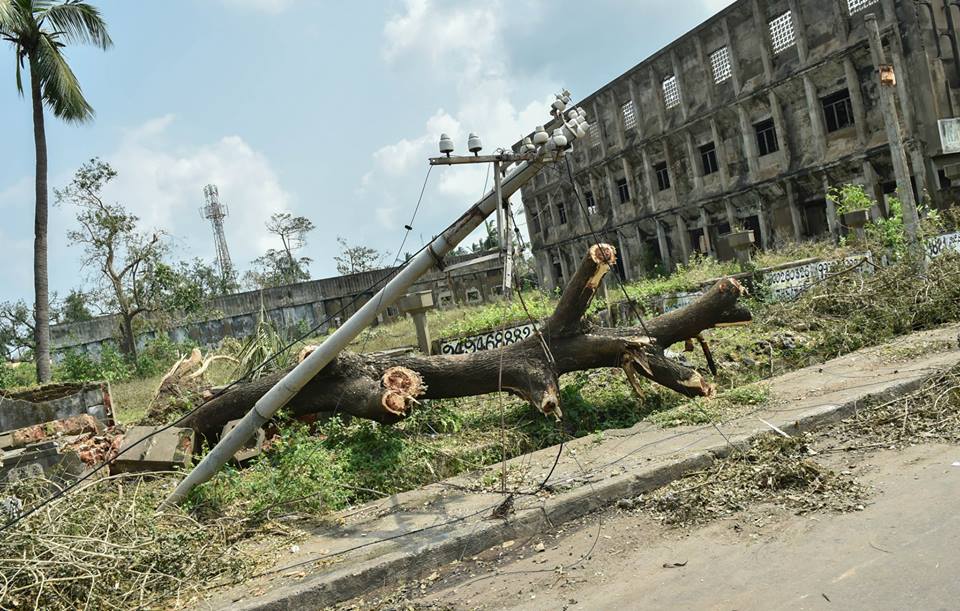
<point>61,90</point>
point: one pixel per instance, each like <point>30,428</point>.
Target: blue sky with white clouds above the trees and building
<point>324,109</point>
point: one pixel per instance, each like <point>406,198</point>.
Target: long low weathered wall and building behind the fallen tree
<point>323,304</point>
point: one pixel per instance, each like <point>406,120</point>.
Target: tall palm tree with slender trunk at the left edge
<point>39,30</point>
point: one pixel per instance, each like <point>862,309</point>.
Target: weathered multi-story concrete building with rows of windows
<point>747,121</point>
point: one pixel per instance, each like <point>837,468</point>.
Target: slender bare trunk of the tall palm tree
<point>41,305</point>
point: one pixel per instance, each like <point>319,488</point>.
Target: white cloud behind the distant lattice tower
<point>164,187</point>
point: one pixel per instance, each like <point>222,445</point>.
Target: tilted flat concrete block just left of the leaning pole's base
<point>166,450</point>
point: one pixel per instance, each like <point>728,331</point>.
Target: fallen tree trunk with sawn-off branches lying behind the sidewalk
<point>385,388</point>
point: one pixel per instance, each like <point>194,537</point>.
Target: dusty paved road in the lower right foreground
<point>901,552</point>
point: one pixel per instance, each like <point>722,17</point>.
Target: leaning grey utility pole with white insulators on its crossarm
<point>529,162</point>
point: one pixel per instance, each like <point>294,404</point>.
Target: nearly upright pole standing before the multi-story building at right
<point>891,119</point>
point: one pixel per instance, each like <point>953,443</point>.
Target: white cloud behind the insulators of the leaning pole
<point>462,48</point>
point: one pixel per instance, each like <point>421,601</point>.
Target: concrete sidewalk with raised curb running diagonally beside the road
<point>408,535</point>
